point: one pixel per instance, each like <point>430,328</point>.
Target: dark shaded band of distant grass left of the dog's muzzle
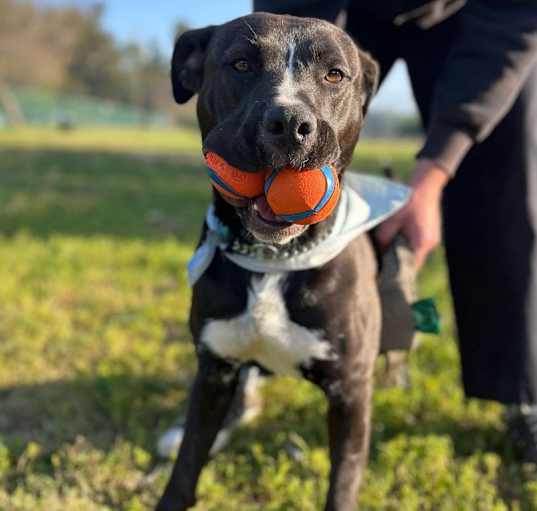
<point>90,193</point>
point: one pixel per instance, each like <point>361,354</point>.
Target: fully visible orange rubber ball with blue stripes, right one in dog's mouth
<point>302,197</point>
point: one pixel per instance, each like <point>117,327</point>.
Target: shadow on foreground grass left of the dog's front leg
<point>100,409</point>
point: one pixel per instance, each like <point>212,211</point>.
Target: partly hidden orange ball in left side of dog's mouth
<point>232,181</point>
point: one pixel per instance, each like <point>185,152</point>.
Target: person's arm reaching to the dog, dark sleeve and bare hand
<point>482,77</point>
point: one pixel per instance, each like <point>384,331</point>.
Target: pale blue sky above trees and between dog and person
<point>149,21</point>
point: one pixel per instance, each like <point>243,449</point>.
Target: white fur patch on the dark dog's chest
<point>264,333</point>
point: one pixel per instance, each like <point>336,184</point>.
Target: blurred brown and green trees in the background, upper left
<point>67,49</point>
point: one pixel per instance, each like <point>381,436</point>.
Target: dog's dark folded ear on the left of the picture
<point>187,62</point>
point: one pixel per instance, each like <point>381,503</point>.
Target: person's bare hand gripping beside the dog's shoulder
<point>419,220</point>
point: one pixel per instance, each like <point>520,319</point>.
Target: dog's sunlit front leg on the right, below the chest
<point>349,414</point>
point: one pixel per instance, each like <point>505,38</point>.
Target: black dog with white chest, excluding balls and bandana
<point>276,91</point>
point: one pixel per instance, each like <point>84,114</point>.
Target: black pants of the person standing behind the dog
<point>490,207</point>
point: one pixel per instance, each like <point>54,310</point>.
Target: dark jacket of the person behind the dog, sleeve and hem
<point>485,71</point>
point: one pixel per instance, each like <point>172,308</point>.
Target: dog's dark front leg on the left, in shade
<point>209,402</point>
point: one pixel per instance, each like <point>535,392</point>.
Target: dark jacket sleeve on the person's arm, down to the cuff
<point>483,75</point>
